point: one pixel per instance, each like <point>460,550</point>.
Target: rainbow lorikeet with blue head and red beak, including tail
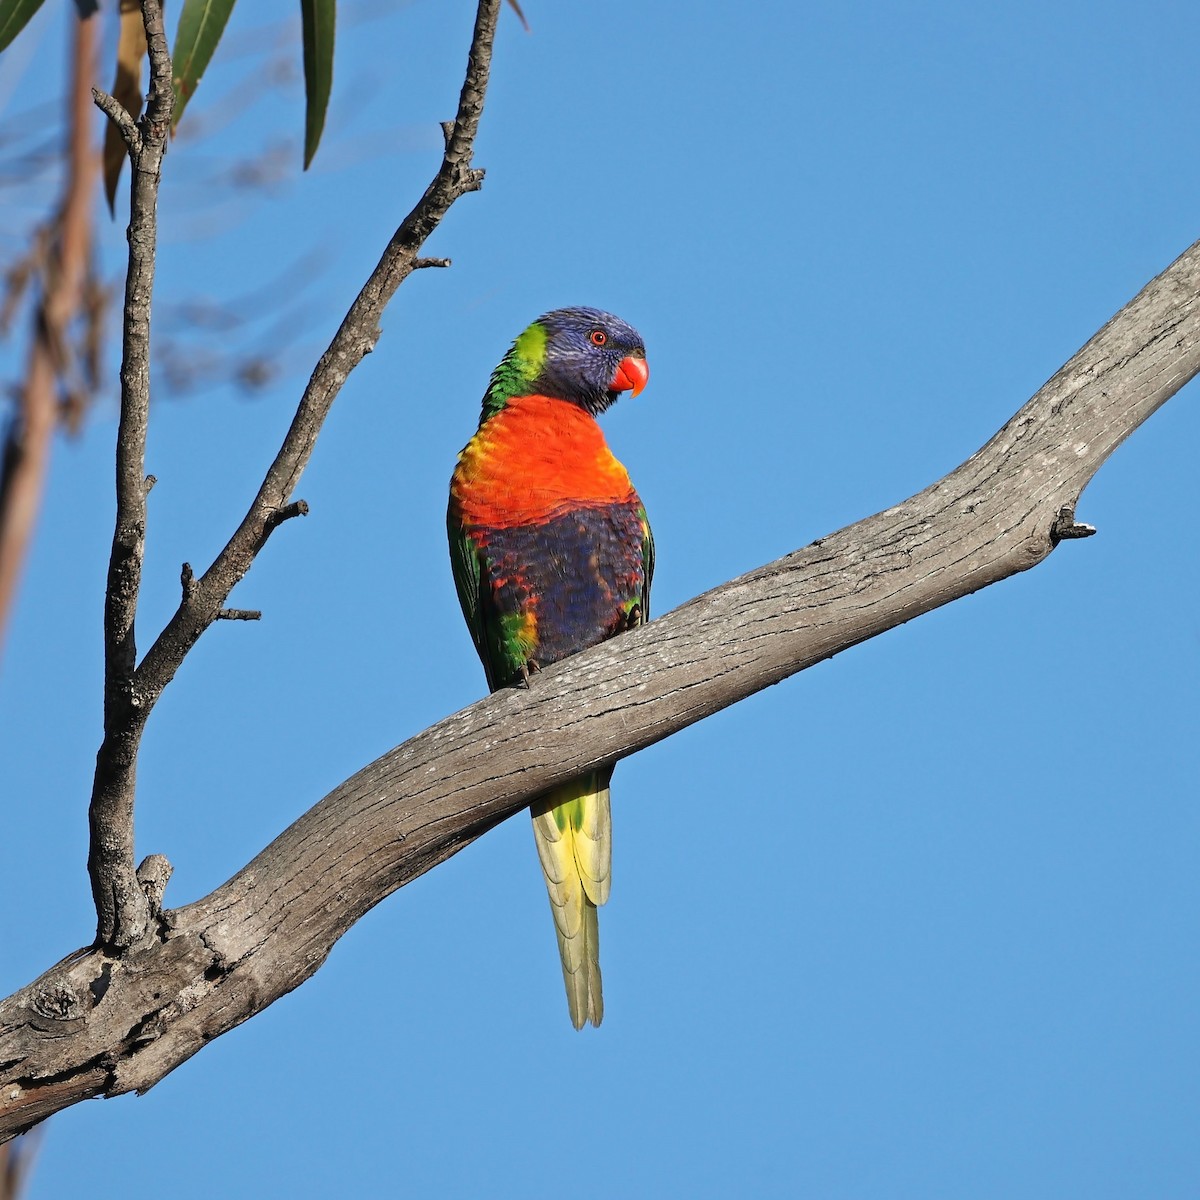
<point>553,554</point>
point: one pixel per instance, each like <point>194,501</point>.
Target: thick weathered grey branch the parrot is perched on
<point>93,1025</point>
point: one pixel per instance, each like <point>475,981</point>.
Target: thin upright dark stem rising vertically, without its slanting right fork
<point>122,910</point>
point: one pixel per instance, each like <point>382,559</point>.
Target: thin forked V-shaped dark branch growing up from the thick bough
<point>123,915</point>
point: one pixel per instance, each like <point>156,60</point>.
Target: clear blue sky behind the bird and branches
<point>921,922</point>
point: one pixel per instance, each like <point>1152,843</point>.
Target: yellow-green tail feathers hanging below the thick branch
<point>573,827</point>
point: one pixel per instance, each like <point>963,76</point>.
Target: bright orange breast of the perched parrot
<point>536,460</point>
